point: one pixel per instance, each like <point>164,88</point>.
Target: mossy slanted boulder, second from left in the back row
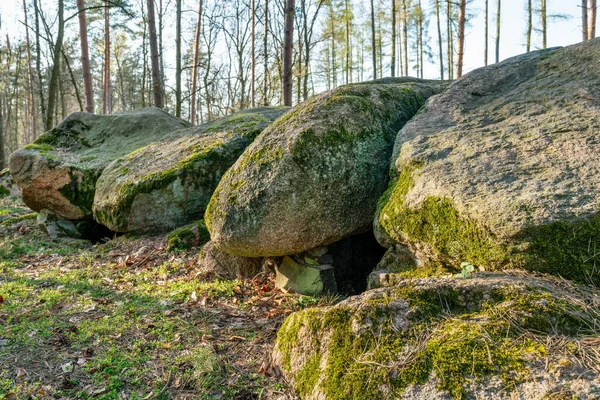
<point>169,183</point>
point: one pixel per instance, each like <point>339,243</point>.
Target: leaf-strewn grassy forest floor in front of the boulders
<point>126,319</point>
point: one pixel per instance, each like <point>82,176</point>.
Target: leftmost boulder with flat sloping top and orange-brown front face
<point>59,170</point>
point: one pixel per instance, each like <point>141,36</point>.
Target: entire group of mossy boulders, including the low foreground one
<point>497,170</point>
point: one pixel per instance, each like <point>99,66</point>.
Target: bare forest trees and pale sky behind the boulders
<point>107,56</point>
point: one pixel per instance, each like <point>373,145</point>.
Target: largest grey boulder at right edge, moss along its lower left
<point>502,169</point>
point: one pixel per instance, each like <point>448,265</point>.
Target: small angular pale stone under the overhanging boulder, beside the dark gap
<point>312,279</point>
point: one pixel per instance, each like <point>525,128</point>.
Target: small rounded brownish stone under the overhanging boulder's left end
<point>227,265</point>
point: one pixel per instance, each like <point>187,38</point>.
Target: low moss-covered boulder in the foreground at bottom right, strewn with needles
<point>490,336</point>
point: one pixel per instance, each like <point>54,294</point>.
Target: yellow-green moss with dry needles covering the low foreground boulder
<point>377,347</point>
